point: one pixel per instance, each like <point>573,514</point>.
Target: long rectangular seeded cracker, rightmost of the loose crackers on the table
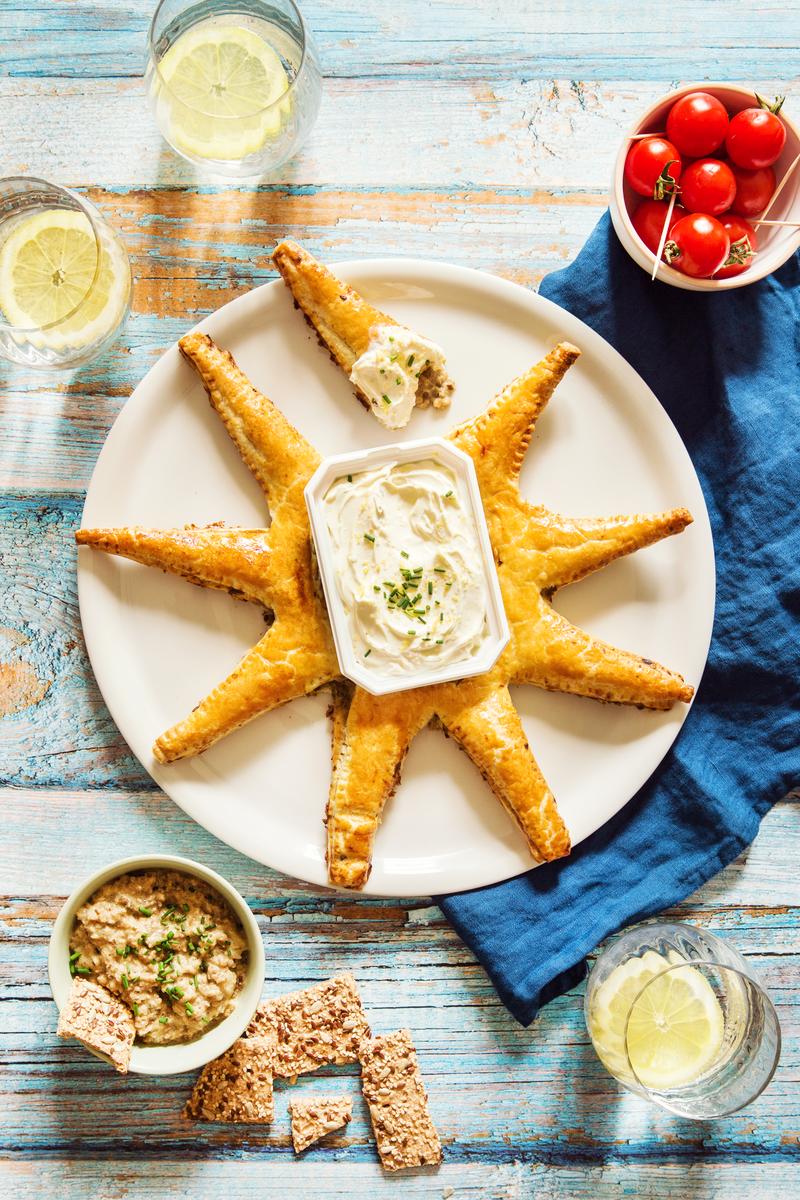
<point>399,1106</point>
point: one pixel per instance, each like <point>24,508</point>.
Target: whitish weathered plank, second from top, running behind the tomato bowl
<point>485,131</point>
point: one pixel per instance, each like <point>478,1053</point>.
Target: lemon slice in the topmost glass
<point>222,81</point>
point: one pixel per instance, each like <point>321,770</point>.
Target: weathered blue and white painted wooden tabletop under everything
<point>479,133</point>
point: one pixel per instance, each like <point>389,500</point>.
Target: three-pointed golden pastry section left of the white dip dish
<point>270,567</point>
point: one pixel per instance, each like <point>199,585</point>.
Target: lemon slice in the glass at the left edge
<point>47,271</point>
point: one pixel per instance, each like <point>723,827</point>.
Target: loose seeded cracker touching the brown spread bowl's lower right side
<point>237,1087</point>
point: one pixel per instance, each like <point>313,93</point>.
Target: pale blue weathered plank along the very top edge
<point>552,39</point>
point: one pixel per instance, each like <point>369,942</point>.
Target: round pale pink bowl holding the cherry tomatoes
<point>777,244</point>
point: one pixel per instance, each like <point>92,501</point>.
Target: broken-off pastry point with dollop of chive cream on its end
<point>392,369</point>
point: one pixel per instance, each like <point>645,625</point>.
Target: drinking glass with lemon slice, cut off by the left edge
<point>65,278</point>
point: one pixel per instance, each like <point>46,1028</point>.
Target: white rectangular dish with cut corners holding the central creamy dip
<point>366,460</point>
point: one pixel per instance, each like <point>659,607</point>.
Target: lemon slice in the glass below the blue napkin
<point>676,1028</point>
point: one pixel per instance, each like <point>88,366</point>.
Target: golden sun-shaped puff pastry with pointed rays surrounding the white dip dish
<point>537,553</point>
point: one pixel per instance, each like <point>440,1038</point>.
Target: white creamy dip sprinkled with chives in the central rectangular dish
<point>408,567</point>
